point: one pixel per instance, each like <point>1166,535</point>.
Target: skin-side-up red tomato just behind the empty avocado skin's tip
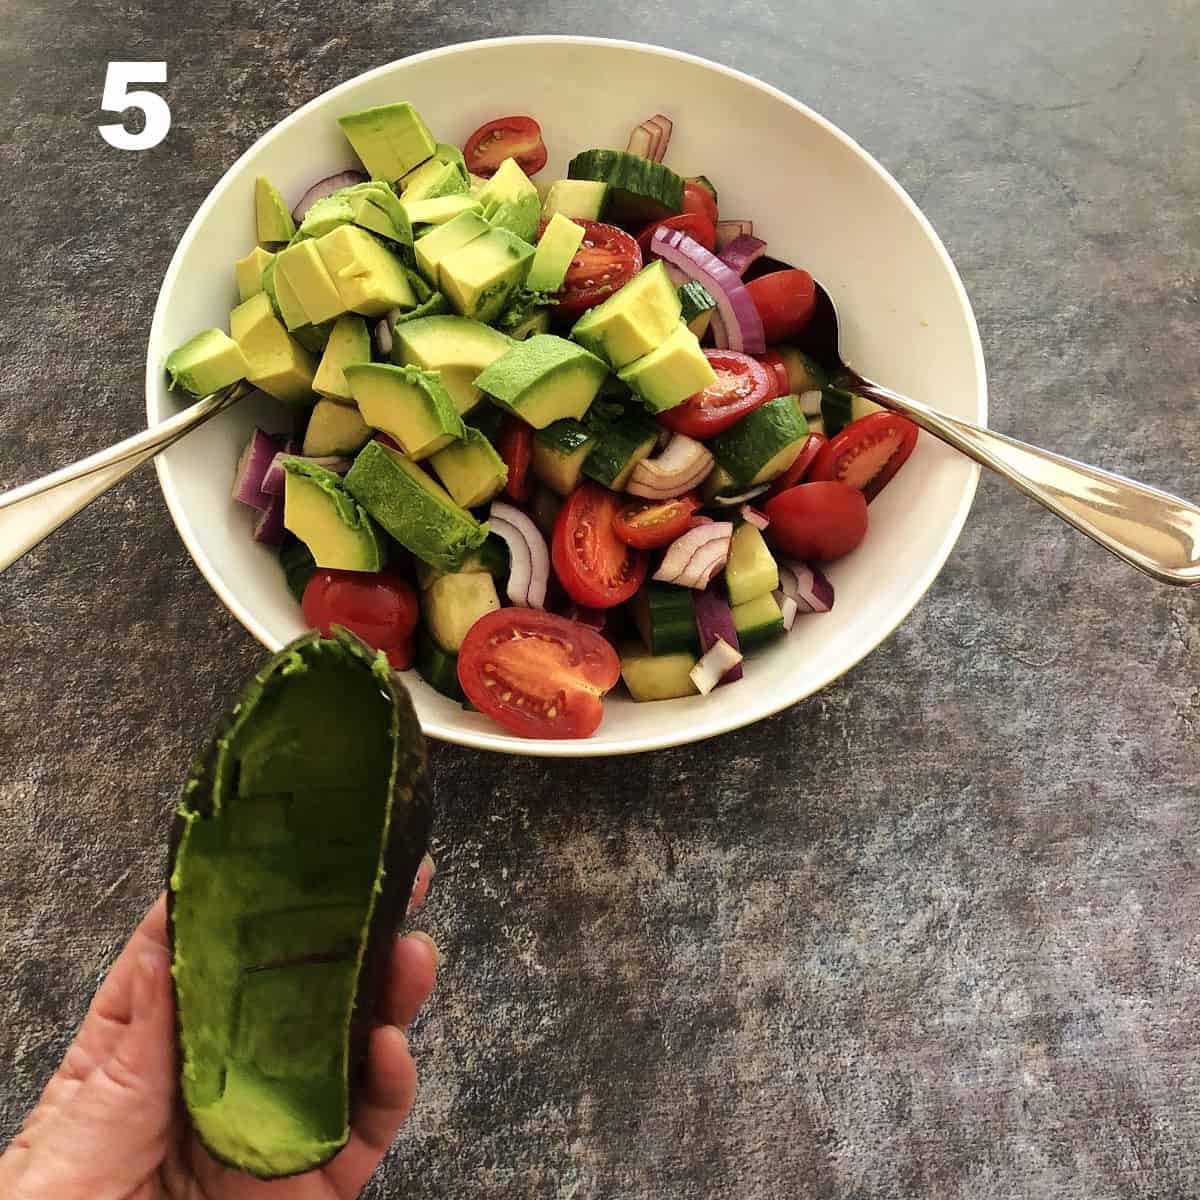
<point>380,607</point>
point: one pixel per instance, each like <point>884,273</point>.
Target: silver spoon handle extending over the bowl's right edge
<point>1150,530</point>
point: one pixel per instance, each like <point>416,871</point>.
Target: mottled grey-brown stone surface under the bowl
<point>932,934</point>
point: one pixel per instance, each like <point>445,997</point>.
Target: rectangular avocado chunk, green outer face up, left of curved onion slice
<point>415,509</point>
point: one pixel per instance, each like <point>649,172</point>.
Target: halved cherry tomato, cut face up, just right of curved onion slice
<point>595,567</point>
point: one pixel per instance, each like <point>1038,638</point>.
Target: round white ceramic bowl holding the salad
<point>818,199</point>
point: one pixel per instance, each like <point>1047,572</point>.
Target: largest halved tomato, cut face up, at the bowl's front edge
<point>537,674</point>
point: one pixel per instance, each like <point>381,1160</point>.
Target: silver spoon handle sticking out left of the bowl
<point>34,511</point>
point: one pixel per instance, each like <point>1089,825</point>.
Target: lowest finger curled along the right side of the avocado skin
<point>389,1093</point>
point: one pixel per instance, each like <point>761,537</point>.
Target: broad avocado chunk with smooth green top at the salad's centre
<point>544,380</point>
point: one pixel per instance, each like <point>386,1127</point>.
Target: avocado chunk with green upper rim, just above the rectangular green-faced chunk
<point>407,404</point>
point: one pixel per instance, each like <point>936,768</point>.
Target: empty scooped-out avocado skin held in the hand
<point>298,1067</point>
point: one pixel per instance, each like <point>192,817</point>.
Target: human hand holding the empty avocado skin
<point>111,1125</point>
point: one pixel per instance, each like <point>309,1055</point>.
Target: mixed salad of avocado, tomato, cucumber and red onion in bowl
<point>547,439</point>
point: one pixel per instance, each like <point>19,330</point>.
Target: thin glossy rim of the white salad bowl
<point>499,741</point>
